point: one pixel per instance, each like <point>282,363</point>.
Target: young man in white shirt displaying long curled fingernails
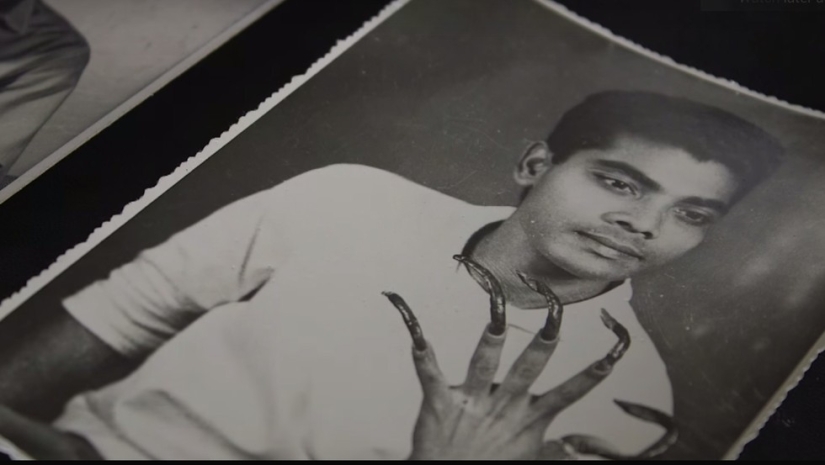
<point>261,332</point>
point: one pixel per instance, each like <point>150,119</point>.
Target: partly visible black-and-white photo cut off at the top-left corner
<point>69,68</point>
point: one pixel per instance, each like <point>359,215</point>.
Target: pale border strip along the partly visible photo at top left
<point>122,109</point>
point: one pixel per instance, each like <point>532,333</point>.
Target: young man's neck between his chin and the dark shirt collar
<point>502,249</point>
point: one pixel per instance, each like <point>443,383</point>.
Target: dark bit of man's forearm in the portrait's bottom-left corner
<point>41,441</point>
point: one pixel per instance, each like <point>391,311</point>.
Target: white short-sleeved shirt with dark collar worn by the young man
<point>316,364</point>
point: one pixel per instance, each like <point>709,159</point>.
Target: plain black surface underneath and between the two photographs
<point>778,52</point>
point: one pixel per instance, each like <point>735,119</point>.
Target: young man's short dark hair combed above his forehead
<point>706,132</point>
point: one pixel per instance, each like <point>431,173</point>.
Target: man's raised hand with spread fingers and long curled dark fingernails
<point>484,421</point>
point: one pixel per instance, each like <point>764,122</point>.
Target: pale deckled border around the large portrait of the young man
<point>165,183</point>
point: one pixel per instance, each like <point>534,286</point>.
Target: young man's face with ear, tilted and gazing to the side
<point>611,213</point>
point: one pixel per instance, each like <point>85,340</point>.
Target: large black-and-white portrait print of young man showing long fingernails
<point>474,230</point>
